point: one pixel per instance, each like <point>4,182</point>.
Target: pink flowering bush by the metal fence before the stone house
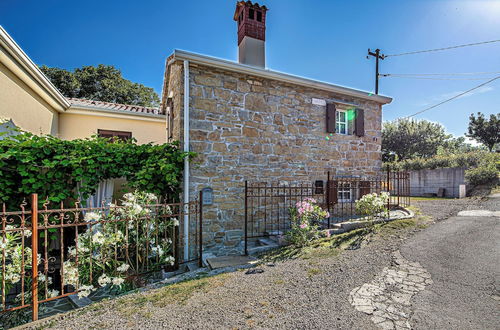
<point>306,217</point>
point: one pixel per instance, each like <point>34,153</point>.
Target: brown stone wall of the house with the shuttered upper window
<point>248,128</point>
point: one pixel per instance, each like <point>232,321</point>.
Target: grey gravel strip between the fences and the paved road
<point>295,294</point>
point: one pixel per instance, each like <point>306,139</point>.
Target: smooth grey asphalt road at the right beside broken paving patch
<point>462,254</point>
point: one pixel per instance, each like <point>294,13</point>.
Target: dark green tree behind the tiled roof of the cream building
<point>101,83</point>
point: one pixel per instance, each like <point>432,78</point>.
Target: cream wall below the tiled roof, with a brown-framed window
<point>78,126</point>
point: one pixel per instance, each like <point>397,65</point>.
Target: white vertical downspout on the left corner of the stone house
<point>186,160</point>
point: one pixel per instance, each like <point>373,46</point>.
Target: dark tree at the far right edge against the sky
<point>485,131</point>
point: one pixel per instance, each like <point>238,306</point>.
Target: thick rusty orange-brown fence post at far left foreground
<point>34,251</point>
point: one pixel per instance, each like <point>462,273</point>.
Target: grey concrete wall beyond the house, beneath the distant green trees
<point>424,182</point>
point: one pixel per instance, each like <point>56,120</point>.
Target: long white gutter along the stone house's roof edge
<point>275,75</point>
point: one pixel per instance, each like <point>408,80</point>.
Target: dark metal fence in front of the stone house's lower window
<point>267,206</point>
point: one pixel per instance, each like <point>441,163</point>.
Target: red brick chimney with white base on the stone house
<point>251,20</point>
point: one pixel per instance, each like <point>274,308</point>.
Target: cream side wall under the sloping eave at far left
<point>22,105</point>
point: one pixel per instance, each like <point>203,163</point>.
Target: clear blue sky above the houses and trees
<point>320,39</point>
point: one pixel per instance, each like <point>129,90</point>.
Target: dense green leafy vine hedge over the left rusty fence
<point>62,169</point>
